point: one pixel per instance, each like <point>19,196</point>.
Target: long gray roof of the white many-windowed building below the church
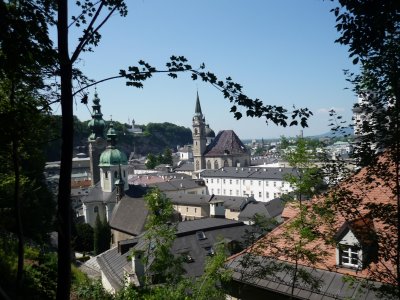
<point>249,173</point>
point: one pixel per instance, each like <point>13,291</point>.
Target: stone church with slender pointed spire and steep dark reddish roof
<point>214,152</point>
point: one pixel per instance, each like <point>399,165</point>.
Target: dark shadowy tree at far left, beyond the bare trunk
<point>26,55</point>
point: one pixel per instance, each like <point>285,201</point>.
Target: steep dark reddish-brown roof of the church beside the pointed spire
<point>226,142</point>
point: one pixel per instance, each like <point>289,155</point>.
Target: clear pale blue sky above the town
<point>282,52</point>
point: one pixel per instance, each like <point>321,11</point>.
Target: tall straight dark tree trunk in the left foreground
<point>64,193</point>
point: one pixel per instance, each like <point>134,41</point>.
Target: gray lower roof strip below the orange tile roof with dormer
<point>331,284</point>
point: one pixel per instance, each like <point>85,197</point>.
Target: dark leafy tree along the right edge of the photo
<point>371,30</point>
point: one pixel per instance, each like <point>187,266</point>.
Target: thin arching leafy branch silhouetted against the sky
<point>232,91</point>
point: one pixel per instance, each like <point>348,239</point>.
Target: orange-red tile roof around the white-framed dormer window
<point>366,204</point>
